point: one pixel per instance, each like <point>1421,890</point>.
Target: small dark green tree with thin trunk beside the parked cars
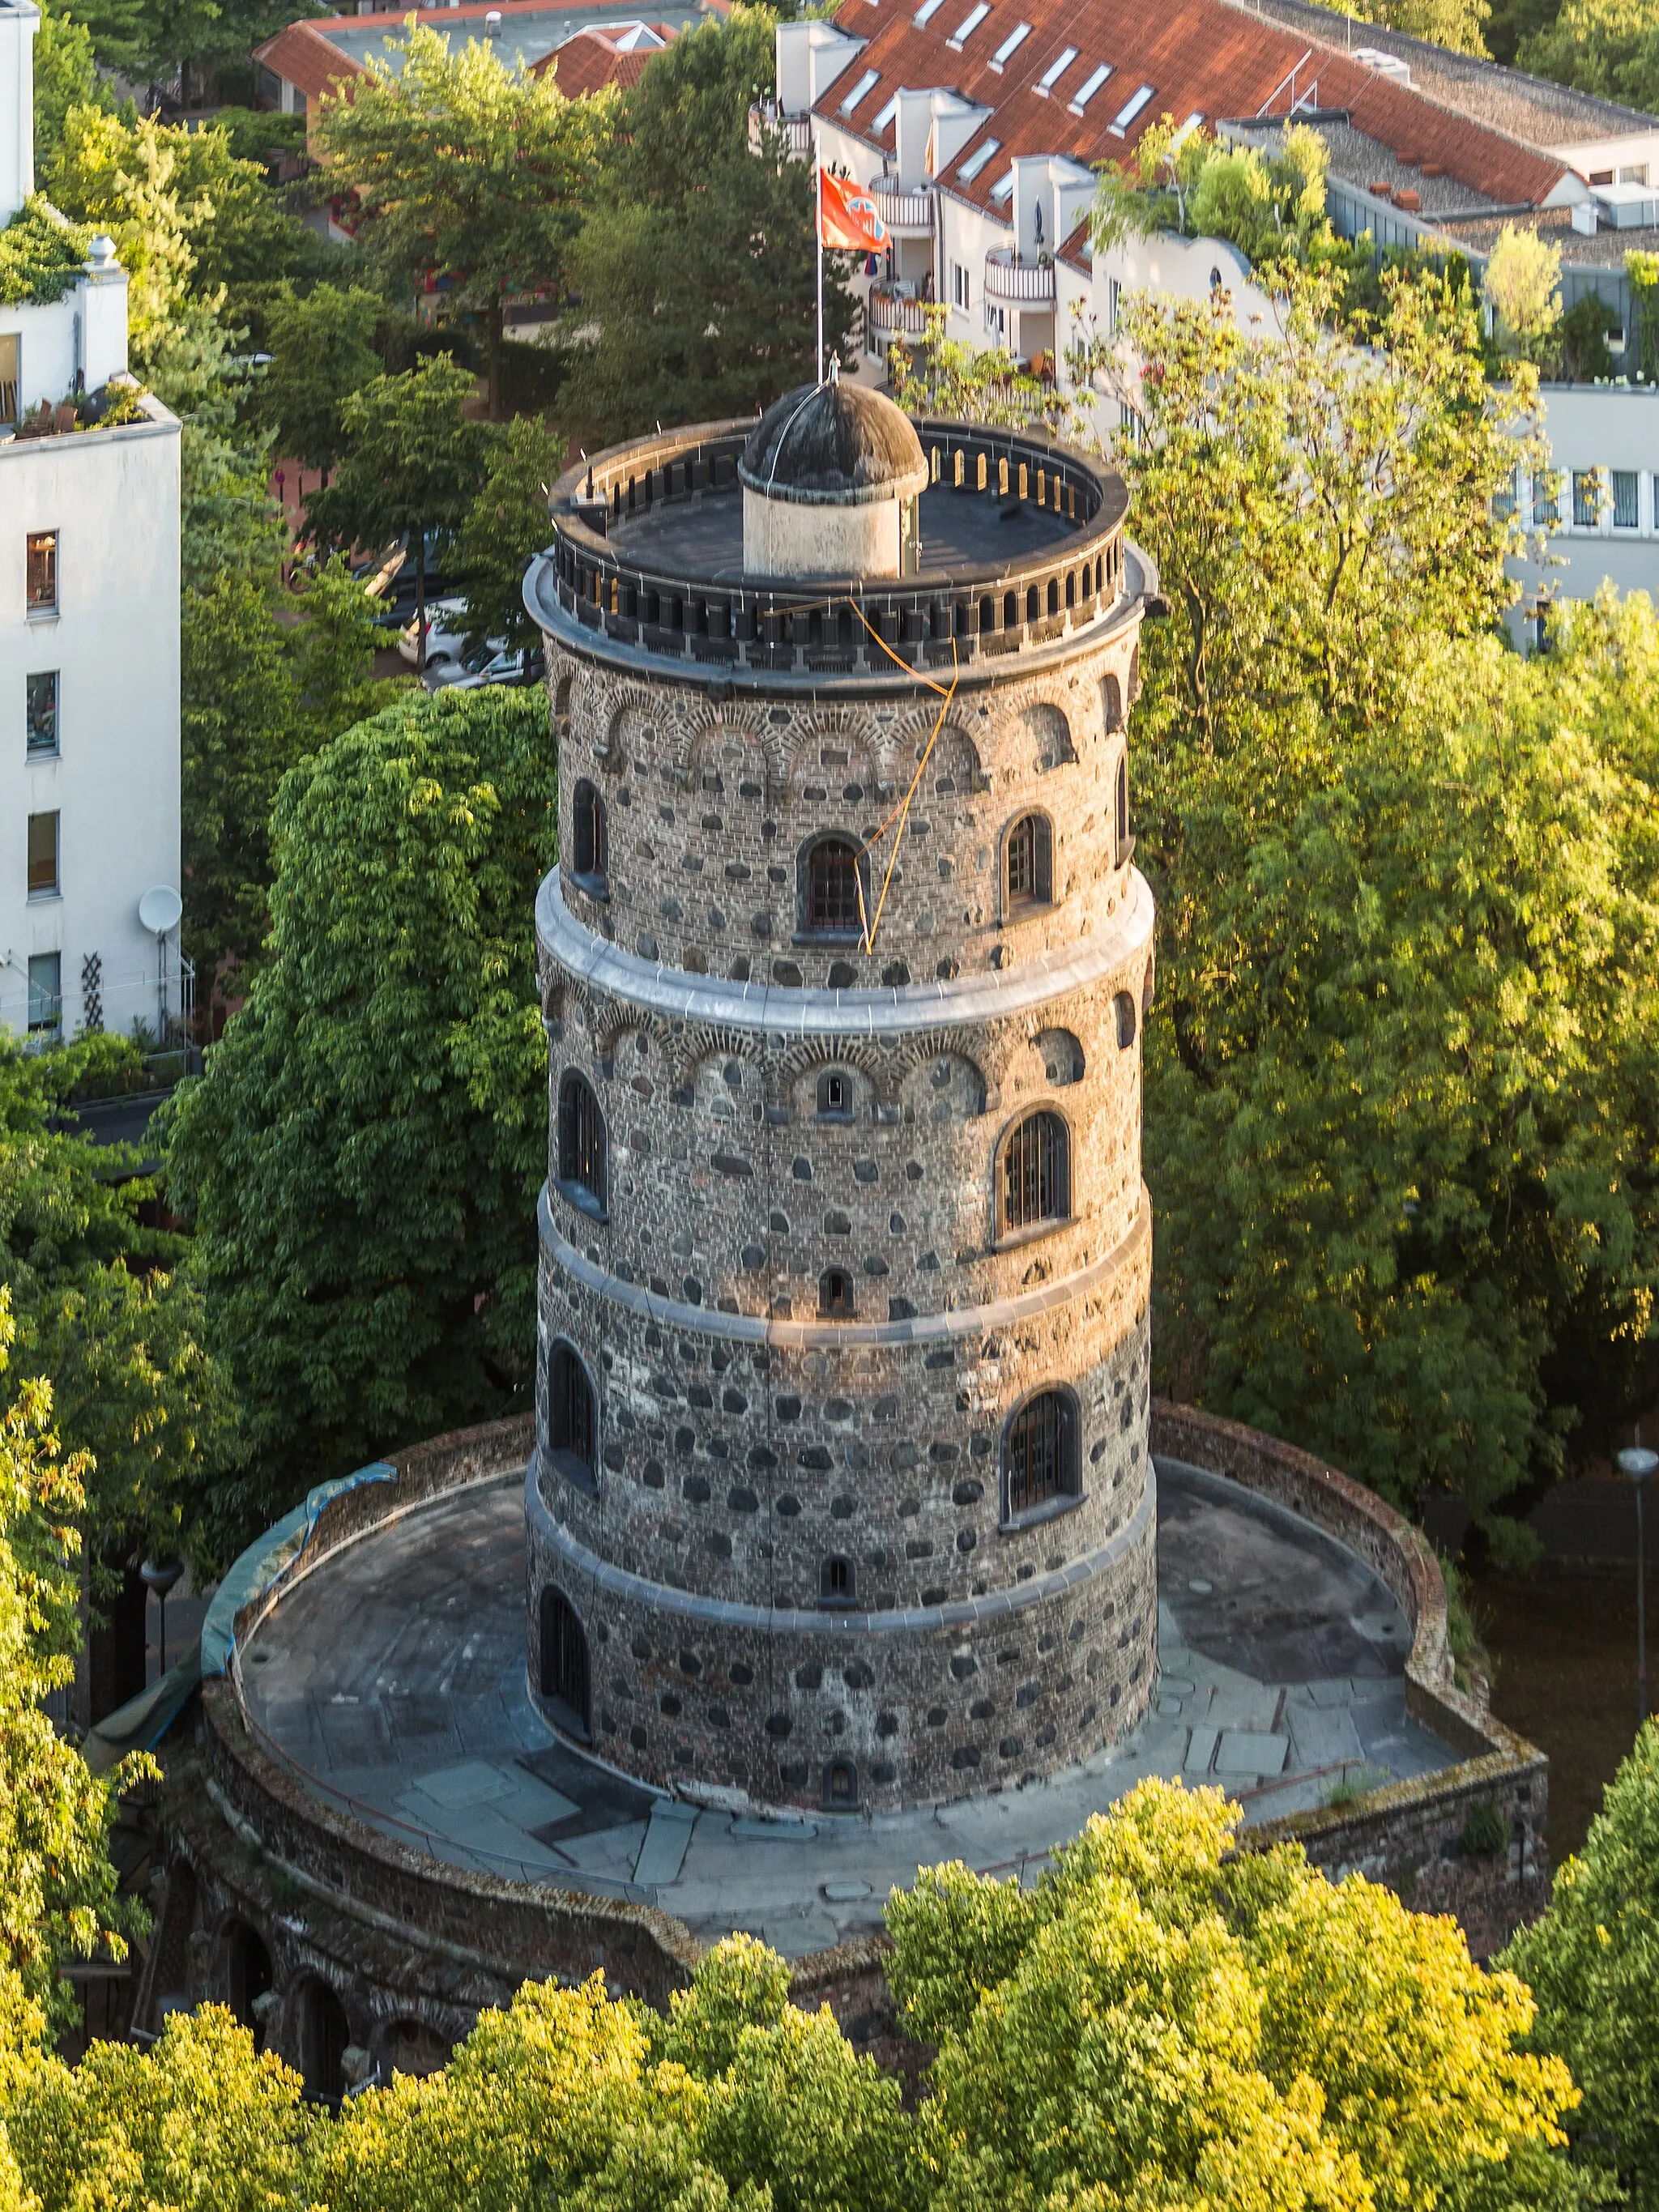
<point>415,466</point>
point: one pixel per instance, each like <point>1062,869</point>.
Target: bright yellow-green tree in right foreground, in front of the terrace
<point>1162,2023</point>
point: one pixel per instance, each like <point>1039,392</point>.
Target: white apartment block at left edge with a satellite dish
<point>90,647</point>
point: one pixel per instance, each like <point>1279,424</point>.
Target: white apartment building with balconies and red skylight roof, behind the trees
<point>979,127</point>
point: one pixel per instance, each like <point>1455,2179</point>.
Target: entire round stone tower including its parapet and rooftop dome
<point>842,1492</point>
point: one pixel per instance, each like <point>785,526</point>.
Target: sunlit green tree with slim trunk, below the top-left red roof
<point>466,167</point>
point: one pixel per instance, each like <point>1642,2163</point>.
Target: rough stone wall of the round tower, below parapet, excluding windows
<point>742,1441</point>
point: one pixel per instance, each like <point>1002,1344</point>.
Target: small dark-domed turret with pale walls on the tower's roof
<point>833,481</point>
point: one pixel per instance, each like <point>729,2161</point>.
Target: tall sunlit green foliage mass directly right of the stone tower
<point>1397,1085</point>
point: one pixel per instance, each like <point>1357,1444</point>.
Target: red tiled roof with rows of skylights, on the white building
<point>1200,56</point>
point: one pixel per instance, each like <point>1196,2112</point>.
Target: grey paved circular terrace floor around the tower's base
<point>393,1680</point>
